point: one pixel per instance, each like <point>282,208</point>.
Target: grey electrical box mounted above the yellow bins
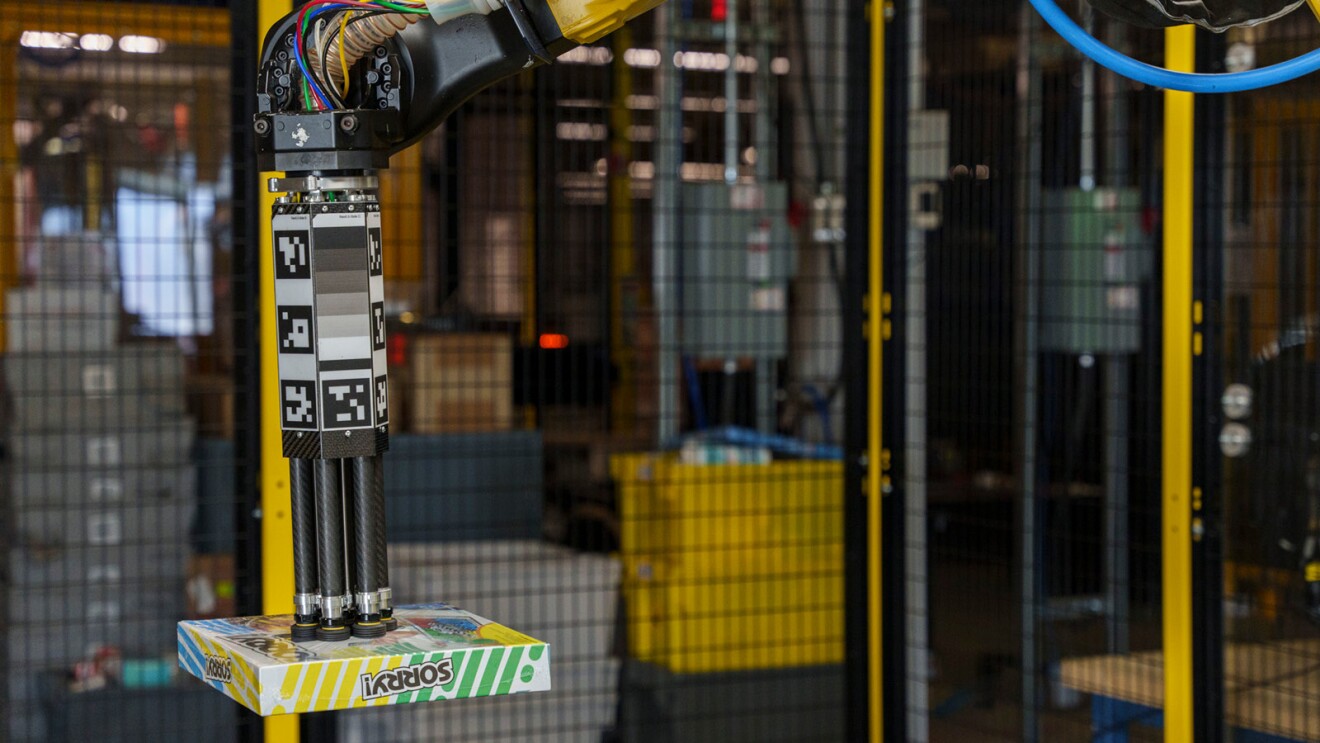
<point>737,263</point>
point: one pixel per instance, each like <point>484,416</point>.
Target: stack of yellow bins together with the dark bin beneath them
<point>733,585</point>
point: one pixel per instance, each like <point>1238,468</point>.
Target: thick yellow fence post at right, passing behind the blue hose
<point>1179,55</point>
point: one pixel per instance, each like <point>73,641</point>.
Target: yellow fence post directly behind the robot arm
<point>277,526</point>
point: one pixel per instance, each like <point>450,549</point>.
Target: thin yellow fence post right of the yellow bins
<point>876,354</point>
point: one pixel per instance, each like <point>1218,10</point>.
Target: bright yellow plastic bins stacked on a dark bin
<point>732,567</point>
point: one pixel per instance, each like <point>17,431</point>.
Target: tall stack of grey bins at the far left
<point>98,493</point>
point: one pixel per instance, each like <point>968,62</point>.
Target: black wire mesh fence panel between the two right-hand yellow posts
<point>1032,383</point>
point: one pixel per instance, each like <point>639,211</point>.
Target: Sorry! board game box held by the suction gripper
<point>439,653</point>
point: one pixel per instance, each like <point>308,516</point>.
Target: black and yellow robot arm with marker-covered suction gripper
<point>343,86</point>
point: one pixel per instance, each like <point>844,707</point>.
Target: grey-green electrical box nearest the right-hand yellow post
<point>1094,262</point>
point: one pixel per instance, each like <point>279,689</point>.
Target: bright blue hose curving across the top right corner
<point>1160,77</point>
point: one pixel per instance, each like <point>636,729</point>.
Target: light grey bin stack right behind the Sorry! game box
<point>555,595</point>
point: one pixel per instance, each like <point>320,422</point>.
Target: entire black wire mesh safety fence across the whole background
<point>617,295</point>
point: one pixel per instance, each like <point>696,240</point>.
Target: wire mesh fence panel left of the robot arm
<point>119,366</point>
